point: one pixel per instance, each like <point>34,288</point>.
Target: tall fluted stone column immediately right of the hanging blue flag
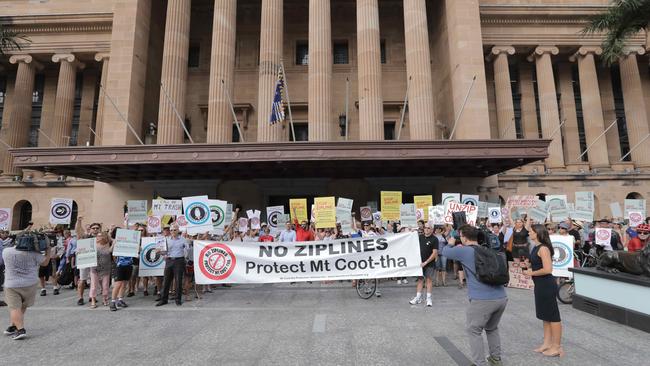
<point>320,71</point>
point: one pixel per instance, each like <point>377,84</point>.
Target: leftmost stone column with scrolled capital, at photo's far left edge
<point>17,128</point>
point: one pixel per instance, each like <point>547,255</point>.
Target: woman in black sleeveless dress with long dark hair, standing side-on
<point>540,267</point>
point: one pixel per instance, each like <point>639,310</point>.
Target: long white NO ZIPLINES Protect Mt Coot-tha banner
<point>344,259</point>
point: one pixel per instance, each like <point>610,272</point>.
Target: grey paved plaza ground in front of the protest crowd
<point>303,324</point>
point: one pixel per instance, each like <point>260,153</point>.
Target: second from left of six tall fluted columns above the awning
<point>222,67</point>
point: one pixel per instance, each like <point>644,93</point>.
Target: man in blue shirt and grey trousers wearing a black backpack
<point>486,302</point>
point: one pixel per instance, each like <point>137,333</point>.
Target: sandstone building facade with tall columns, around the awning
<point>125,72</point>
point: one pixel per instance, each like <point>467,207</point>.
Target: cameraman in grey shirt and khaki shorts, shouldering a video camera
<point>21,283</point>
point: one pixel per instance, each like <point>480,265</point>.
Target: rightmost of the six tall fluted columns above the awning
<point>418,69</point>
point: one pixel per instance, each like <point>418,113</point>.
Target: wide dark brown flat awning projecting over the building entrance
<point>350,159</point>
